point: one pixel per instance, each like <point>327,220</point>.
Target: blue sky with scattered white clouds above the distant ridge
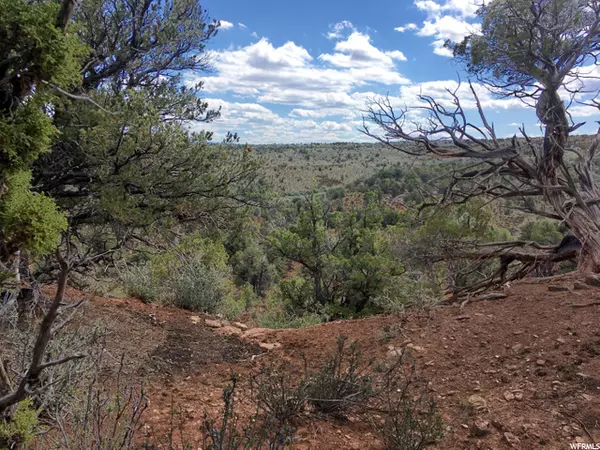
<point>294,72</point>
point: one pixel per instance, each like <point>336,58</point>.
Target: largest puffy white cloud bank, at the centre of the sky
<point>289,75</point>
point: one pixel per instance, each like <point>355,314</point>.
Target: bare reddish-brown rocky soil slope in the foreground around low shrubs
<point>525,367</point>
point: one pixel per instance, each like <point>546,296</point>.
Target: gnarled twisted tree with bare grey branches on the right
<point>532,50</point>
